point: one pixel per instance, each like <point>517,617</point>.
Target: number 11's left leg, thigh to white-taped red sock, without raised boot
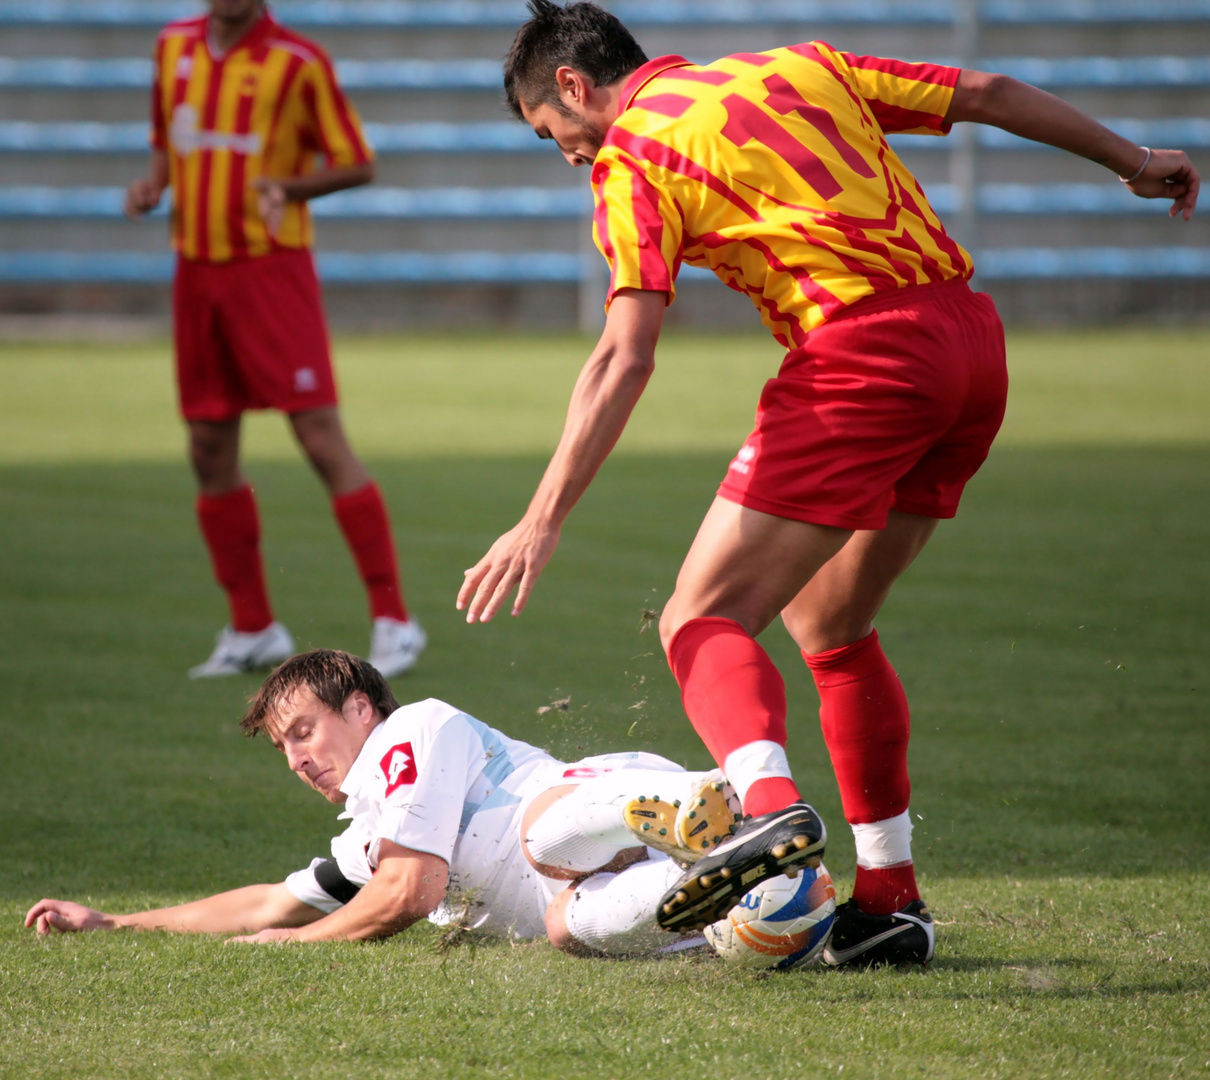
<point>745,568</point>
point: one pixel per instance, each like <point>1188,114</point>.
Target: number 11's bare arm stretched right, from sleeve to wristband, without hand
<point>1034,114</point>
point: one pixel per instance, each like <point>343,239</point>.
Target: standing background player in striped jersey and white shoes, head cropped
<point>241,107</point>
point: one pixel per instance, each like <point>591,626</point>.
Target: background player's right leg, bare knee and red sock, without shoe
<point>359,506</point>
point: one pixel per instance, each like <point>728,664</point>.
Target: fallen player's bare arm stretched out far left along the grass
<point>239,911</point>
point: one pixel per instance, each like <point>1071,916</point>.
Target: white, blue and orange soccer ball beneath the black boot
<point>782,923</point>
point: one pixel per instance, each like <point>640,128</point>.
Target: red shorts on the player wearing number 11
<point>894,405</point>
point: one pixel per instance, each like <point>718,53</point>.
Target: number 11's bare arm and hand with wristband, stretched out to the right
<point>1025,111</point>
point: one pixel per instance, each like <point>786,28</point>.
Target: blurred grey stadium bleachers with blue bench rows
<point>505,211</point>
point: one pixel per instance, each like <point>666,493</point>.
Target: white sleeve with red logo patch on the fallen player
<point>428,783</point>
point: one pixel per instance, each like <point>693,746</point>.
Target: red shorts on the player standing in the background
<point>251,336</point>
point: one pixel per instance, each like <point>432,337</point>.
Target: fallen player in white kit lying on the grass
<point>454,822</point>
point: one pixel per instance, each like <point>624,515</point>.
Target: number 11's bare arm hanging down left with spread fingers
<point>607,392</point>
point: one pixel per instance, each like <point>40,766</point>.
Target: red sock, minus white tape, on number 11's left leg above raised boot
<point>734,696</point>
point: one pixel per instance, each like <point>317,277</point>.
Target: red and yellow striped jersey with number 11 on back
<point>774,171</point>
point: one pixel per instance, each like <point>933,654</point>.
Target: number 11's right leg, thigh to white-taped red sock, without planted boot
<point>863,708</point>
